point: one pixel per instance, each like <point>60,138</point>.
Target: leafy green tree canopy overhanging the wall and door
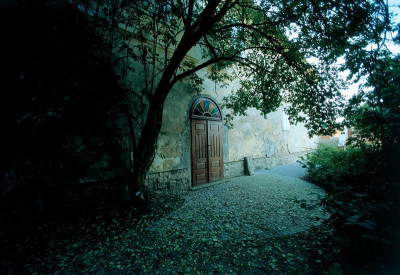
<point>267,45</point>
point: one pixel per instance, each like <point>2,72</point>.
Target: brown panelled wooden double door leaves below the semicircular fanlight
<point>207,162</point>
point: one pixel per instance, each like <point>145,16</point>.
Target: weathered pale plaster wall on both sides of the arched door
<point>262,138</point>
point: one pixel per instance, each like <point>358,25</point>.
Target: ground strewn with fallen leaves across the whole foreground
<point>164,240</point>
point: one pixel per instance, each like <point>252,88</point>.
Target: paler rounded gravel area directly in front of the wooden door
<point>264,205</point>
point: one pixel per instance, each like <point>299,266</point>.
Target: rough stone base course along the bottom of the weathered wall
<point>178,181</point>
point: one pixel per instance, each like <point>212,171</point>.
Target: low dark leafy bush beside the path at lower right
<point>363,200</point>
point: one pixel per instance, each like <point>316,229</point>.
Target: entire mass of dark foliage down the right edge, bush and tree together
<point>363,181</point>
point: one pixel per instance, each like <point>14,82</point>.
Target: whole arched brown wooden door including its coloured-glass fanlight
<point>206,153</point>
